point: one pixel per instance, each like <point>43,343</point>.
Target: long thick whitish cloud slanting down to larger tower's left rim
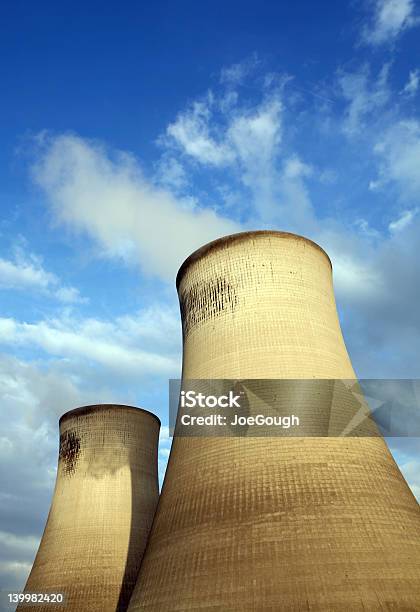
<point>106,196</point>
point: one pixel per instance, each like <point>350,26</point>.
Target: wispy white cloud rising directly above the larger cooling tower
<point>244,140</point>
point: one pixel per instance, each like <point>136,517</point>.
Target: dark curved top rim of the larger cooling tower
<point>241,237</point>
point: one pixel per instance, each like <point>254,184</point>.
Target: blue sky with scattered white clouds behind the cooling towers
<point>132,135</point>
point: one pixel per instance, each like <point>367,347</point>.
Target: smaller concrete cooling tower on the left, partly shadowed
<point>103,506</point>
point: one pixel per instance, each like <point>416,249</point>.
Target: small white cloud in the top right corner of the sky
<point>390,19</point>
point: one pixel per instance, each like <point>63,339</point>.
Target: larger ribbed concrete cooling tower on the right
<point>277,524</point>
